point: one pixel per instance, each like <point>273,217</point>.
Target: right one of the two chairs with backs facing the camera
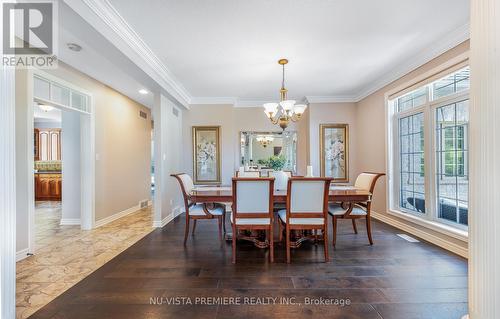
<point>306,209</point>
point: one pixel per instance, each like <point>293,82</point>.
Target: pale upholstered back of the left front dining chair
<point>253,197</point>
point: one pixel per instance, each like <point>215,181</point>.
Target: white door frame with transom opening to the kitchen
<point>87,168</point>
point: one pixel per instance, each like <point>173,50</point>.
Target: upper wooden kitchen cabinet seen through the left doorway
<point>47,144</point>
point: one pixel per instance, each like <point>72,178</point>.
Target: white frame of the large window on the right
<point>430,219</point>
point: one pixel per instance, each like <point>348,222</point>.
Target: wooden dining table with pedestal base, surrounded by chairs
<point>349,195</point>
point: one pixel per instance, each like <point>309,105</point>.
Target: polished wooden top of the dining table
<point>224,194</point>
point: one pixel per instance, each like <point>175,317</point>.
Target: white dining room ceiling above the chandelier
<point>344,49</point>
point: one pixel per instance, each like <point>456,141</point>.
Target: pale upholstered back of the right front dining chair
<point>307,197</point>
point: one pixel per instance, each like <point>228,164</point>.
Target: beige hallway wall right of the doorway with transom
<point>123,144</point>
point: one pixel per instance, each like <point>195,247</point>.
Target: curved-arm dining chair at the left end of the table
<point>197,211</point>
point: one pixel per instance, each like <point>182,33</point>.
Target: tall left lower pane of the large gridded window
<point>411,166</point>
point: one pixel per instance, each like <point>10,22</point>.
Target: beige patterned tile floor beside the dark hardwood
<point>65,254</point>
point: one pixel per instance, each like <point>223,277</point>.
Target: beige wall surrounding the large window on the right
<point>370,147</point>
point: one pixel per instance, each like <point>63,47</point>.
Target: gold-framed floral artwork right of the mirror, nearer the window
<point>334,151</point>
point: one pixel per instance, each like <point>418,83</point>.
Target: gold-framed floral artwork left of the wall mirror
<point>206,155</point>
